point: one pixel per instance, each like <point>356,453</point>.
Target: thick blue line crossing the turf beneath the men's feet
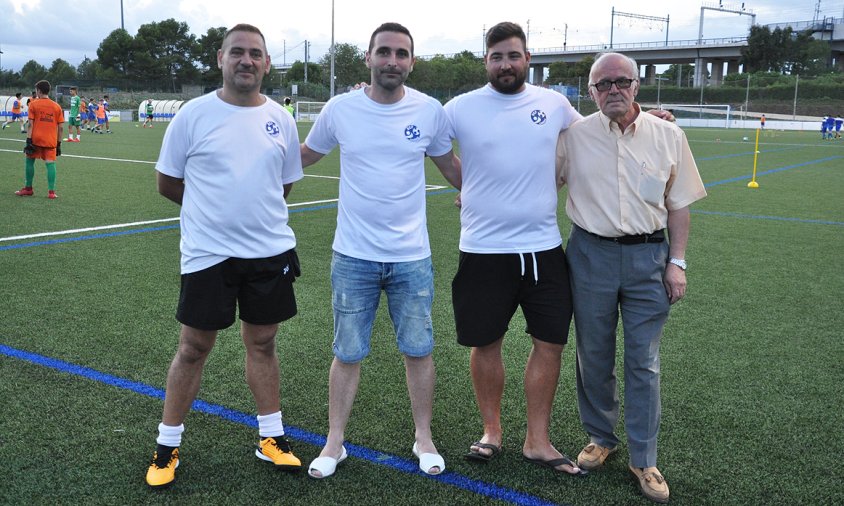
<point>375,457</point>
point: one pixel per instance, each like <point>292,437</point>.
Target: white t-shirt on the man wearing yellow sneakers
<point>234,162</point>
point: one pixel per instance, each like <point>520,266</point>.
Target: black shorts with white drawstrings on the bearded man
<point>488,288</point>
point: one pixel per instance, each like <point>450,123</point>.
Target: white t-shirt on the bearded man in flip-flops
<point>508,148</point>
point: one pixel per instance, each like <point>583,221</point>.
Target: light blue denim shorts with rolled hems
<point>356,290</point>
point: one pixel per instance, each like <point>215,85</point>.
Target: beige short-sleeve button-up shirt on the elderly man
<point>624,183</point>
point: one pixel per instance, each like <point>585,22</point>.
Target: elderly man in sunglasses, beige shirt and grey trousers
<point>630,176</point>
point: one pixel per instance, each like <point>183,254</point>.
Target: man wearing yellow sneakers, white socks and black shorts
<point>229,159</point>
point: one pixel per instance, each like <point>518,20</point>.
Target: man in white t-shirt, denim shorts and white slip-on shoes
<point>384,132</point>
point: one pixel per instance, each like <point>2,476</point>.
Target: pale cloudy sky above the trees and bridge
<point>43,30</point>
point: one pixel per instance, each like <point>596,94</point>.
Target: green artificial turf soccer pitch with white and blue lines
<point>751,358</point>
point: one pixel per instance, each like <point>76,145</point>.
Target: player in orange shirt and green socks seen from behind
<point>42,138</point>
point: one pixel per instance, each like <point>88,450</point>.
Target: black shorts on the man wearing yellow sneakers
<point>262,289</point>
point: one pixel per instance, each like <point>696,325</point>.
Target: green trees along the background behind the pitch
<point>164,56</point>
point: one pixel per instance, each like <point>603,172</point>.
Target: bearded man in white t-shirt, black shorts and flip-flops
<point>511,251</point>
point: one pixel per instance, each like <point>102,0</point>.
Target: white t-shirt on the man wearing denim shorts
<point>381,210</point>
